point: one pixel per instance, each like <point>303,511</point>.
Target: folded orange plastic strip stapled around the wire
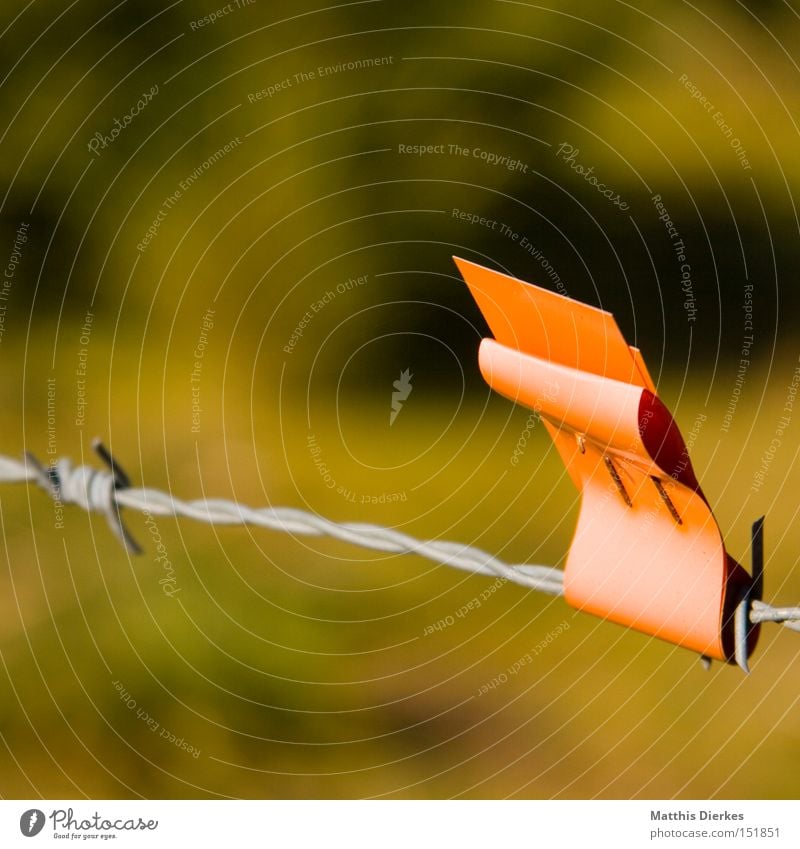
<point>647,551</point>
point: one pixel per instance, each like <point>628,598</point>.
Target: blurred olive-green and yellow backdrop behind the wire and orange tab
<point>272,162</point>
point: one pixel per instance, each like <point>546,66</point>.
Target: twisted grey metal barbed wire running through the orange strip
<point>106,491</point>
